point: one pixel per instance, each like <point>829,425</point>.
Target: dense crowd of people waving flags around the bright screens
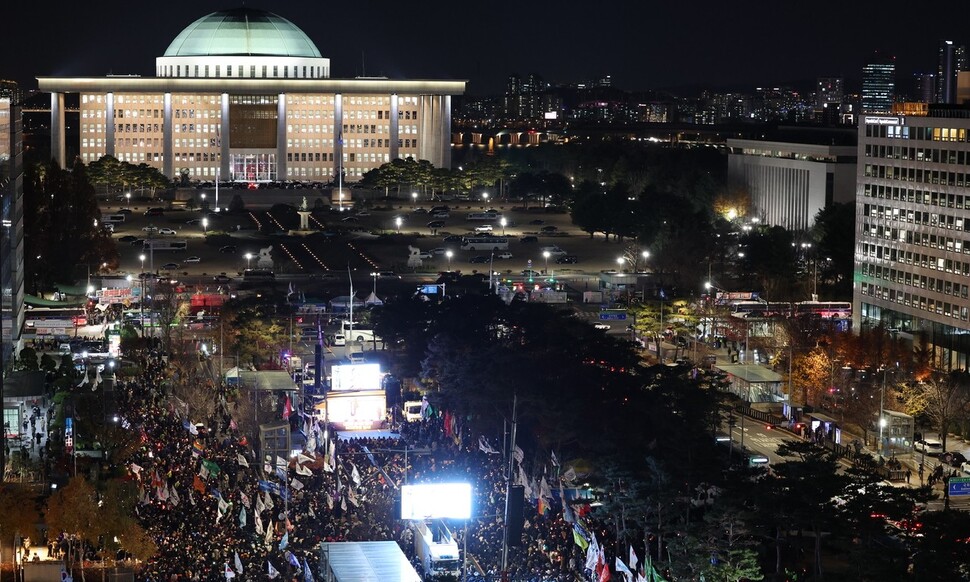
<point>213,508</point>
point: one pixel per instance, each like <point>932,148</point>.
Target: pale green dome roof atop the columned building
<point>242,31</point>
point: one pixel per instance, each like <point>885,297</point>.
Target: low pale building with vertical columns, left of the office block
<point>792,175</point>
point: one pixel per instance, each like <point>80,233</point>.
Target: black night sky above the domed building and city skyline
<point>643,44</point>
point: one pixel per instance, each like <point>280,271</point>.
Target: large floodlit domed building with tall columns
<point>244,95</point>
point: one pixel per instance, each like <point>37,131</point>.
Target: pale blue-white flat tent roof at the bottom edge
<point>368,562</point>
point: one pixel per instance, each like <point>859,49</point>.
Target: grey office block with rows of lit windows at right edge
<point>912,249</point>
